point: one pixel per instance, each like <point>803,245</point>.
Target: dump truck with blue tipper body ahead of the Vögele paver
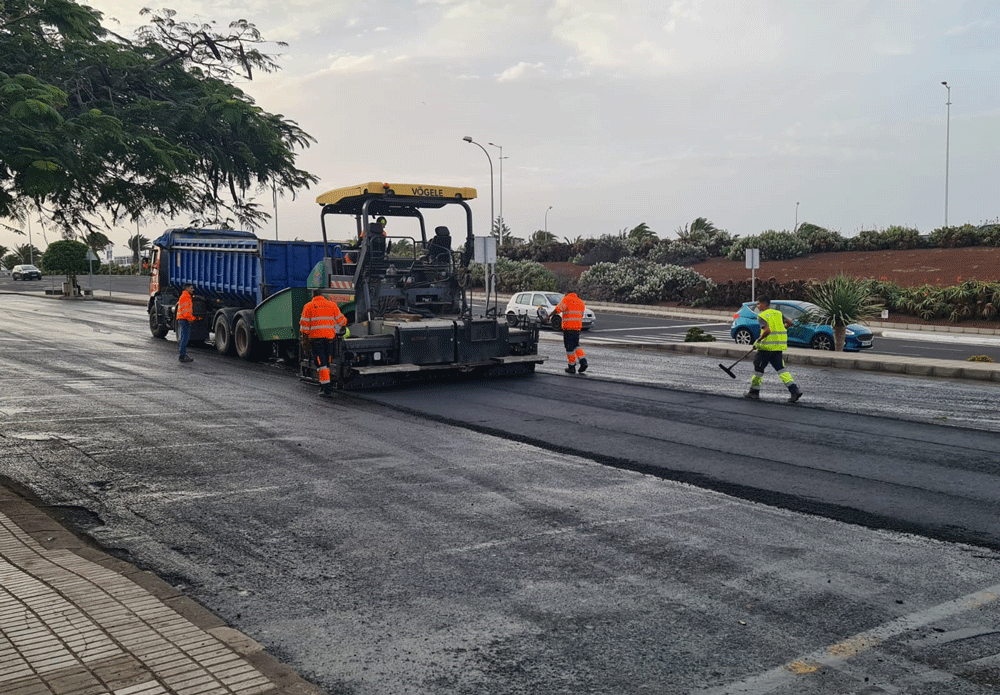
<point>232,272</point>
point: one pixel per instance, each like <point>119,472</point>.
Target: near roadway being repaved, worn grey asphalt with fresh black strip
<point>533,536</point>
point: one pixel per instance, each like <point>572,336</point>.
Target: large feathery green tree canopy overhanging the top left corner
<point>98,125</point>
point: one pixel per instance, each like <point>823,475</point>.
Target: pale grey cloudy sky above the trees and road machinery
<point>616,113</point>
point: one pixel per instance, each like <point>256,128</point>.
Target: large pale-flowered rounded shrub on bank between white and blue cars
<point>636,281</point>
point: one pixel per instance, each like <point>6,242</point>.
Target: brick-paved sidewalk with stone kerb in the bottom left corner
<point>75,621</point>
